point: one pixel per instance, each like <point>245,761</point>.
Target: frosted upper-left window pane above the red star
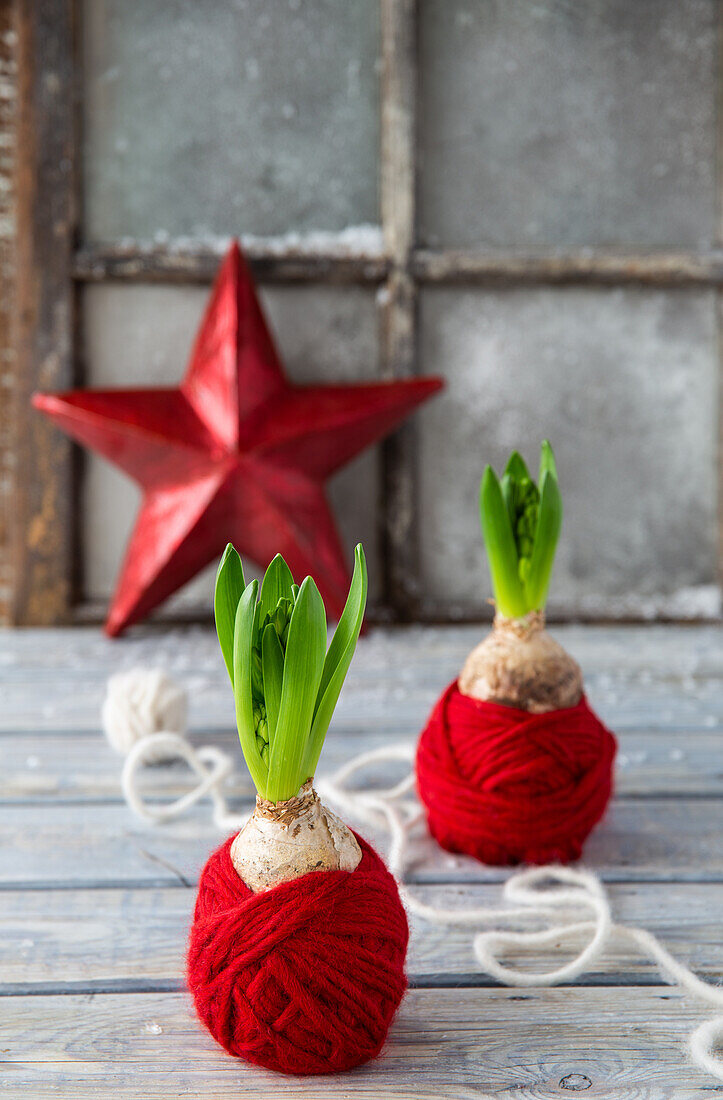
<point>213,117</point>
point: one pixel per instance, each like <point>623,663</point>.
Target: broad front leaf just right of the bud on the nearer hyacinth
<point>303,666</point>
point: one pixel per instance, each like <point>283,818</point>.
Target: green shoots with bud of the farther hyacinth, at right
<point>521,526</point>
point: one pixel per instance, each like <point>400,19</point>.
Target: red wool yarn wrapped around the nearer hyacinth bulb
<point>303,978</point>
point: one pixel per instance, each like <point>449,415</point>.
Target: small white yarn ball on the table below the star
<point>143,702</point>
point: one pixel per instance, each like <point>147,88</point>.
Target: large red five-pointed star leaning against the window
<point>236,454</point>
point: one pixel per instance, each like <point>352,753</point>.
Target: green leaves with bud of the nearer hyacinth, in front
<point>286,683</point>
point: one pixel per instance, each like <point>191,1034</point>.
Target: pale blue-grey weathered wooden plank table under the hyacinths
<point>95,905</point>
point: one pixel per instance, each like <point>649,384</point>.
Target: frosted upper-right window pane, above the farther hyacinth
<point>568,124</point>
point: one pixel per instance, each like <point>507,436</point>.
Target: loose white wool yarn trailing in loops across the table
<point>572,901</point>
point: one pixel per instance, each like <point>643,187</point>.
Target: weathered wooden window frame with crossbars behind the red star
<point>40,547</point>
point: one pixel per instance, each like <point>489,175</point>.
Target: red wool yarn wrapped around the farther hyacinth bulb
<point>510,787</point>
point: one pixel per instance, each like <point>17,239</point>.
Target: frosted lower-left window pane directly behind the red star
<point>141,336</point>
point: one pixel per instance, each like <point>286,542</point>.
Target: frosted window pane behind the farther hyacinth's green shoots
<point>625,384</point>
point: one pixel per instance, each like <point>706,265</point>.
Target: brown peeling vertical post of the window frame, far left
<point>43,536</point>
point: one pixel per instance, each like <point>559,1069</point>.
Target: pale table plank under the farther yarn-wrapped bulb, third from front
<point>103,844</point>
